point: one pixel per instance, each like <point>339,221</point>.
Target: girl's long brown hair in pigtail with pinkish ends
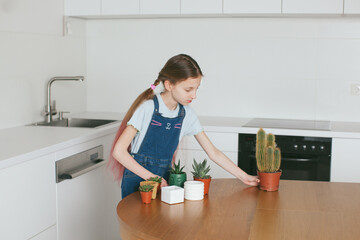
<point>176,69</point>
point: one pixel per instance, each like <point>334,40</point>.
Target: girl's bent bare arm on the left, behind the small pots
<point>122,155</point>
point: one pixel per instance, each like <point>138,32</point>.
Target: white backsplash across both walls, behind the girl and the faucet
<point>299,68</point>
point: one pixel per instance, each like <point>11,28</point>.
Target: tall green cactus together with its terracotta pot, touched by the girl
<point>268,160</point>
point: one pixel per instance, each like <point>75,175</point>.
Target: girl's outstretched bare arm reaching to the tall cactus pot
<point>223,161</point>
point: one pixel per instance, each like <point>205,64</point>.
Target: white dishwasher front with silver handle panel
<point>81,196</point>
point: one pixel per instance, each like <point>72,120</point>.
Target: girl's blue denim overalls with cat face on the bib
<point>157,148</point>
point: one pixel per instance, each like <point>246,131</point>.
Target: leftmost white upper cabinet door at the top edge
<point>82,7</point>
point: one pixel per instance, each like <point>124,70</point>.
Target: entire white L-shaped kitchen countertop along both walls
<point>19,144</point>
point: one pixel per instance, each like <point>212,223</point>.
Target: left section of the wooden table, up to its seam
<point>225,213</point>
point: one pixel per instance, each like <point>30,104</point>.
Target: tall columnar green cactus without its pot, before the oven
<point>268,156</point>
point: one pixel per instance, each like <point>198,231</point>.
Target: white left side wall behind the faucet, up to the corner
<point>32,50</point>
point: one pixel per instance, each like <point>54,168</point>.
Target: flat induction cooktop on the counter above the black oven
<point>289,124</point>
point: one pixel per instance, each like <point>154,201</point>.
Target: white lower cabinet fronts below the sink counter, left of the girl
<point>33,206</point>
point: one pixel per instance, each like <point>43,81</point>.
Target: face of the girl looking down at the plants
<point>185,91</point>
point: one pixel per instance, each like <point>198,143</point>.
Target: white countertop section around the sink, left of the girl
<point>19,144</point>
